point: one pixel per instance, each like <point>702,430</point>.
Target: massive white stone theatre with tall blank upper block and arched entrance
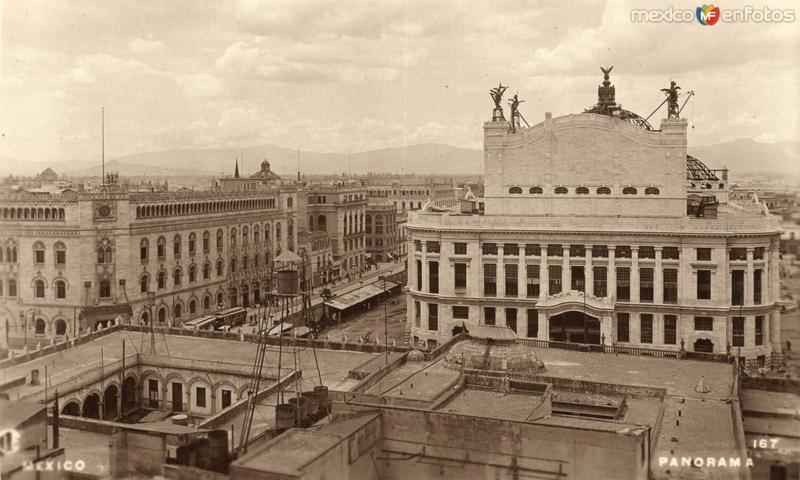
<point>600,203</point>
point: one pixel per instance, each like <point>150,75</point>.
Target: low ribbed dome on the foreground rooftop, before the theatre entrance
<point>494,348</point>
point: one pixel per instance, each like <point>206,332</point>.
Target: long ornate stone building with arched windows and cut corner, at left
<point>76,259</point>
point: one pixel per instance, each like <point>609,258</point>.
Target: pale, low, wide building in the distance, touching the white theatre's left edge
<point>408,195</point>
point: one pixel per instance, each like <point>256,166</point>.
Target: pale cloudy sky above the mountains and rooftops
<point>345,75</point>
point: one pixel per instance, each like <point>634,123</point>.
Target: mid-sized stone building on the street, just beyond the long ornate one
<point>338,210</point>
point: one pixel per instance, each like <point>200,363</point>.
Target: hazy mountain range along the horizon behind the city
<point>740,156</point>
